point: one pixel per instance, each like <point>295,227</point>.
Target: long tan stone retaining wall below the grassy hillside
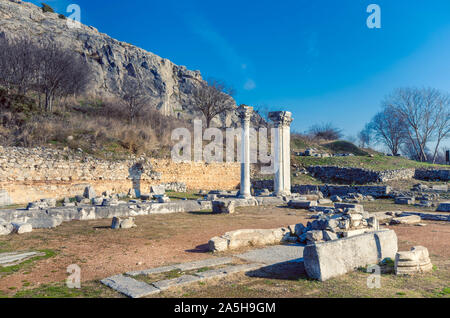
<point>31,174</point>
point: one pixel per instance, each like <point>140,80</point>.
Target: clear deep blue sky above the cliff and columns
<point>317,59</point>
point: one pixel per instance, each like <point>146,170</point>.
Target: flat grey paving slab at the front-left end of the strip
<point>129,286</point>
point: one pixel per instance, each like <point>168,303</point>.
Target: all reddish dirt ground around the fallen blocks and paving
<point>162,240</point>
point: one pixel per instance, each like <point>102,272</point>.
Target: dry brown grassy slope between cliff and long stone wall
<point>96,127</point>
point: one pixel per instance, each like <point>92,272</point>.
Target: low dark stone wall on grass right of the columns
<point>358,175</point>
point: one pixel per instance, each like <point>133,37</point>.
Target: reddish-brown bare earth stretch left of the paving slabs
<point>158,240</point>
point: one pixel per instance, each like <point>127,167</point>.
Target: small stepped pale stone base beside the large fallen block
<point>412,262</point>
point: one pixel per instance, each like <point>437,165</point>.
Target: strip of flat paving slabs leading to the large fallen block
<point>280,261</point>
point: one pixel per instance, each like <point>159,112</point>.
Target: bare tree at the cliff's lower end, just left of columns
<point>212,99</point>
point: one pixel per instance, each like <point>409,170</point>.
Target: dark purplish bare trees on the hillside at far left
<point>42,67</point>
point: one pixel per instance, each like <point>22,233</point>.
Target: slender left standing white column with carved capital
<point>245,113</point>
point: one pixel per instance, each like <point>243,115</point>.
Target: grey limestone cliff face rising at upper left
<point>109,59</point>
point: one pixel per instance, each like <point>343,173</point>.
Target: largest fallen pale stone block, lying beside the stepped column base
<point>334,258</point>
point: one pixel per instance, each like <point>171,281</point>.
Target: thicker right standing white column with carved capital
<point>282,121</point>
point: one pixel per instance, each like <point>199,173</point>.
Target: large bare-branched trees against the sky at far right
<point>412,121</point>
